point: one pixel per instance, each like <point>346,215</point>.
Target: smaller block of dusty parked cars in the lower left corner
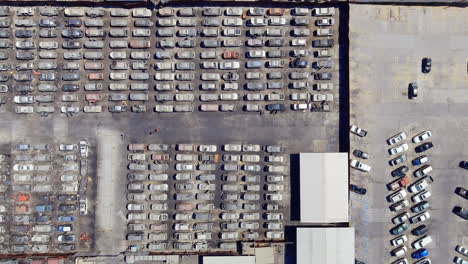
<point>45,223</point>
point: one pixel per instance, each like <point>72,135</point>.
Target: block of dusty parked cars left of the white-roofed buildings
<point>199,197</point>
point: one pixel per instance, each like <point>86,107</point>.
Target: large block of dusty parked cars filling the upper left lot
<point>169,60</point>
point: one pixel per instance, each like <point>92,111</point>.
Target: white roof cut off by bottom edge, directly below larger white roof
<point>325,245</point>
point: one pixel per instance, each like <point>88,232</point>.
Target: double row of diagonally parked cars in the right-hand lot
<point>420,197</point>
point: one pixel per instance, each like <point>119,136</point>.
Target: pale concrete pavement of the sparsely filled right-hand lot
<point>385,56</point>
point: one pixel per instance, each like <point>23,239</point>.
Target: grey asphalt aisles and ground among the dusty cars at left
<point>307,131</point>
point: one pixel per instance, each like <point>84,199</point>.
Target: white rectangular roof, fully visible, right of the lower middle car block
<point>324,187</point>
